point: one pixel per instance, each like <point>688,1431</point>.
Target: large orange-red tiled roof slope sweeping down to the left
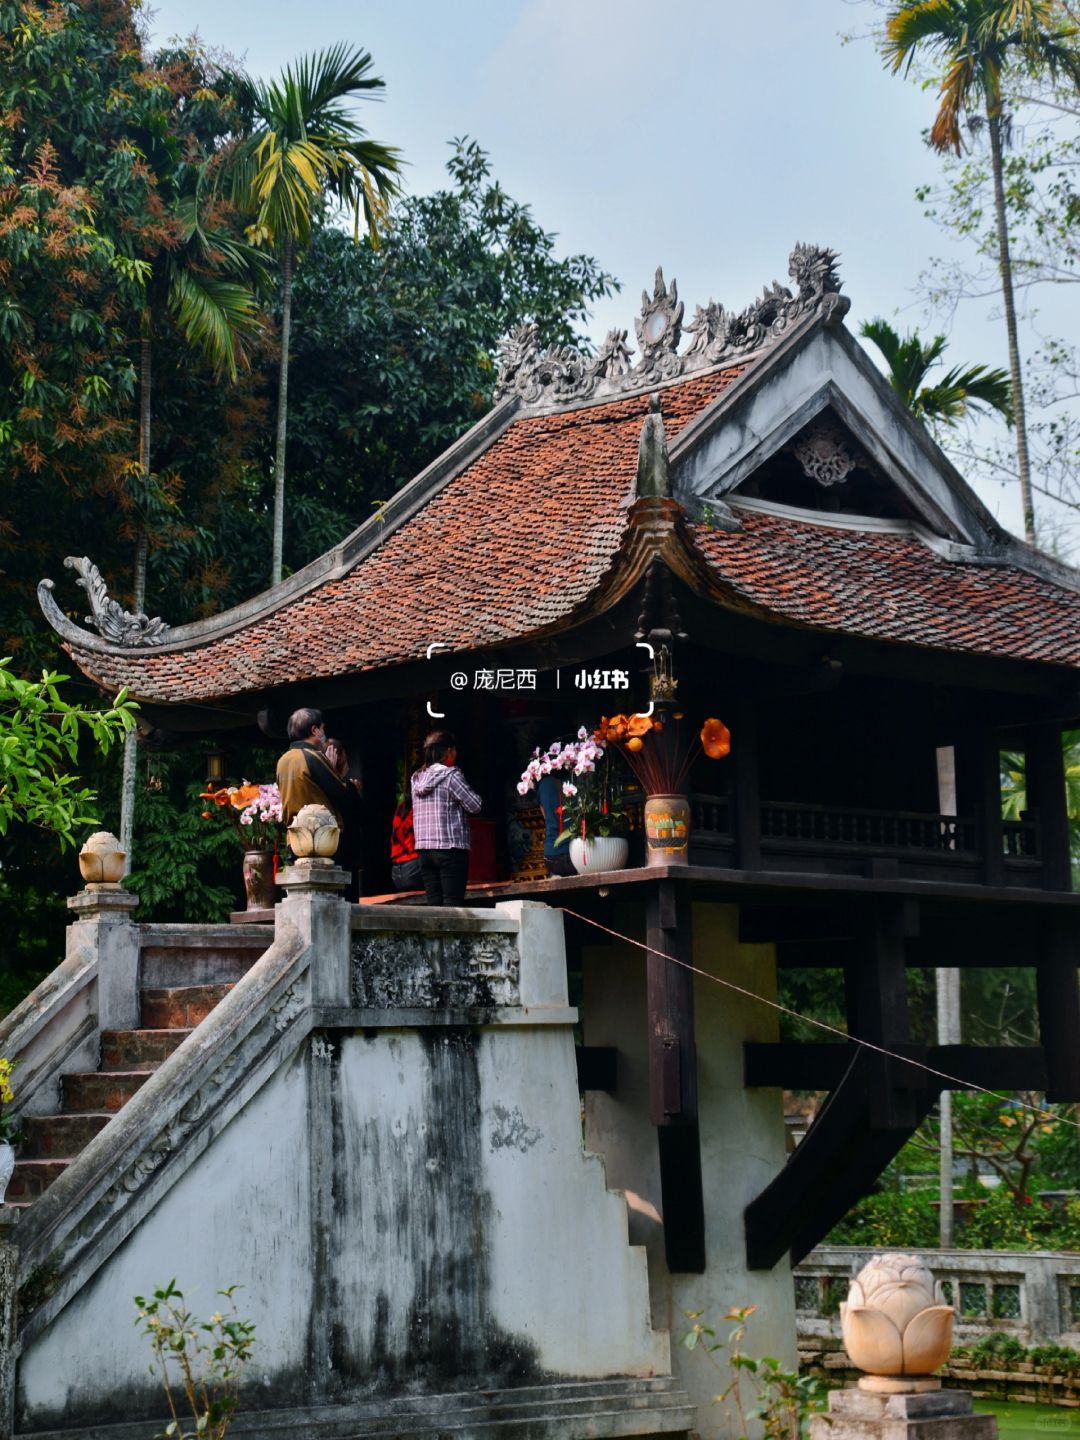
<point>509,548</point>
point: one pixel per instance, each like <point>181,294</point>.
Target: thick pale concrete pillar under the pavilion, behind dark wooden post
<point>742,1140</point>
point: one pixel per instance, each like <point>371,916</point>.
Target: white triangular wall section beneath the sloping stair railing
<point>240,1216</point>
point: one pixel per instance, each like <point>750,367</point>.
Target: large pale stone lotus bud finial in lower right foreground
<point>895,1321</point>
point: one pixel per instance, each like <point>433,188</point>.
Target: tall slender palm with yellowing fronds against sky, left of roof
<point>306,146</point>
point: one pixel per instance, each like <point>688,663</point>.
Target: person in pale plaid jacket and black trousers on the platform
<point>443,801</point>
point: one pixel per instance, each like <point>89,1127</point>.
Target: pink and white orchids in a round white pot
<point>591,822</point>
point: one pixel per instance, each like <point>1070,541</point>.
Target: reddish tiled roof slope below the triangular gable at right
<point>892,587</point>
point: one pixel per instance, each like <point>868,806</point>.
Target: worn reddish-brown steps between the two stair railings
<point>184,974</point>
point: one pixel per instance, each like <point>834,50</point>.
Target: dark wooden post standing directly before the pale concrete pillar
<point>673,1076</point>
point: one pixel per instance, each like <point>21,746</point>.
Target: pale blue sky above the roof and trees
<point>702,136</point>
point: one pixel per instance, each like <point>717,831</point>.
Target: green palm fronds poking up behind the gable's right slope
<point>954,395</point>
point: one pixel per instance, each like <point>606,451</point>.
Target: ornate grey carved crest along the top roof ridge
<point>562,374</point>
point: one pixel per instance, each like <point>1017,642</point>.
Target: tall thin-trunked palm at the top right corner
<point>977,42</point>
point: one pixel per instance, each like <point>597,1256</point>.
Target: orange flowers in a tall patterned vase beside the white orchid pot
<point>660,752</point>
